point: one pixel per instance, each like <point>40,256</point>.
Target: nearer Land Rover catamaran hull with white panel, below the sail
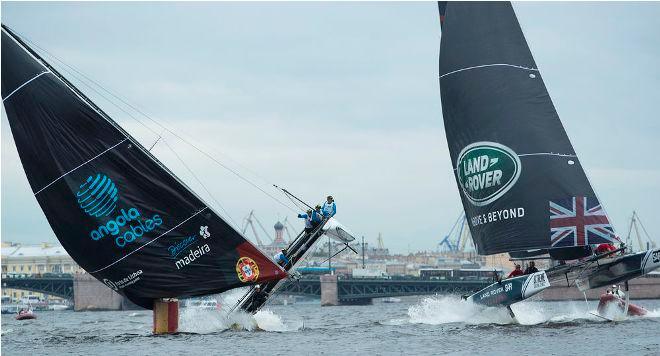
<point>512,290</point>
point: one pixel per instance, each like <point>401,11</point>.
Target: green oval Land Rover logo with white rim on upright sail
<point>486,170</point>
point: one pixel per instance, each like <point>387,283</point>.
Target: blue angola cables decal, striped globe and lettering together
<point>98,197</point>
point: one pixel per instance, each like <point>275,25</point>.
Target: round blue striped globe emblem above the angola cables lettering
<point>97,196</point>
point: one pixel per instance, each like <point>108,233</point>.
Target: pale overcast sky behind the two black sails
<point>343,99</point>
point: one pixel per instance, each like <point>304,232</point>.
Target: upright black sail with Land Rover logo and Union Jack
<point>520,181</point>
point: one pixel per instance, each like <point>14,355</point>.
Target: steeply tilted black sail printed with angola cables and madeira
<point>118,212</point>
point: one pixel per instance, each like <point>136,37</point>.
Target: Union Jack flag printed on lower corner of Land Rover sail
<point>579,221</point>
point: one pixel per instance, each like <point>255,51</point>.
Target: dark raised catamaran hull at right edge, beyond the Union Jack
<point>620,269</point>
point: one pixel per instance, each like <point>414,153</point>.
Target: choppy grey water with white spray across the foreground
<point>415,326</point>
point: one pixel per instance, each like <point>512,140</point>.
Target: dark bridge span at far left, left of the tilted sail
<point>59,285</point>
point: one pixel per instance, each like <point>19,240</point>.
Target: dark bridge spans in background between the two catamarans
<point>359,291</point>
